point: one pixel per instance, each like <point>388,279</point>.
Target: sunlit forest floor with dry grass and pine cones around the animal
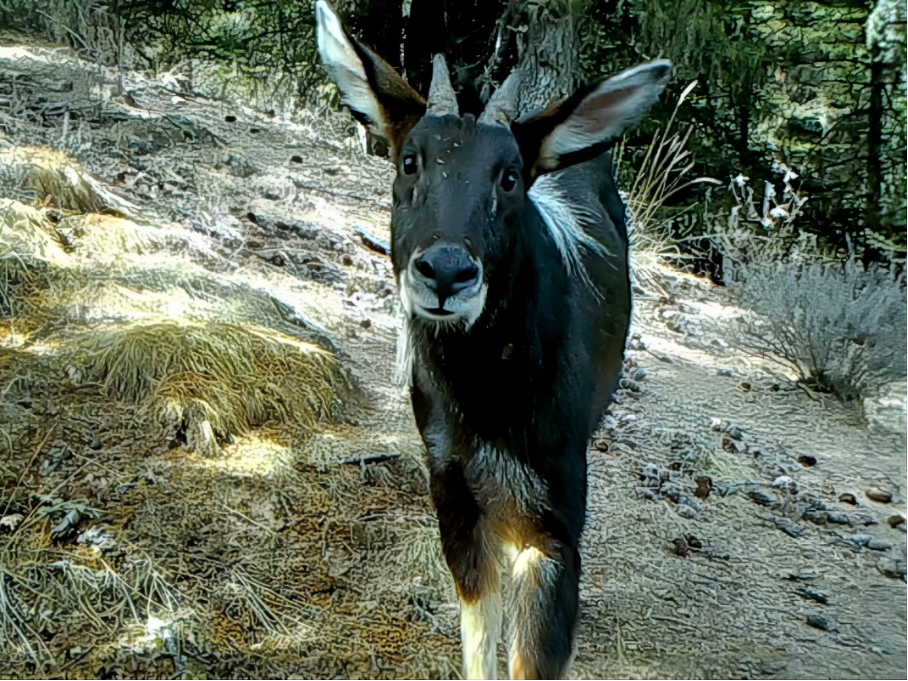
<point>730,531</point>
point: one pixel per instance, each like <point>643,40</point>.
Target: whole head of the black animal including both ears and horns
<point>461,187</point>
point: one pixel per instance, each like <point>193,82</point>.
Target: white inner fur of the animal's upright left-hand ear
<point>346,68</point>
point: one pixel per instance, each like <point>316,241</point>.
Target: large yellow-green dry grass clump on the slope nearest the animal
<point>216,378</point>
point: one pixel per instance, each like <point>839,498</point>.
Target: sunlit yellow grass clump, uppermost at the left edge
<point>48,177</point>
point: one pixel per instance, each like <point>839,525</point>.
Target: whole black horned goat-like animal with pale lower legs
<point>515,286</point>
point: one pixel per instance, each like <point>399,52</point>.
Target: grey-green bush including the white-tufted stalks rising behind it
<point>839,326</point>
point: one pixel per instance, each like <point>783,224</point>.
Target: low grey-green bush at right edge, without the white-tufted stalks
<point>837,325</point>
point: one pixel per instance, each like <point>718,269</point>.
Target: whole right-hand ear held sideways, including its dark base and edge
<point>560,135</point>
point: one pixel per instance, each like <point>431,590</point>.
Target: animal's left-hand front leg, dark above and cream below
<point>469,550</point>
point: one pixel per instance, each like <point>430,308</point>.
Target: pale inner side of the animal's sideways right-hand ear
<point>607,111</point>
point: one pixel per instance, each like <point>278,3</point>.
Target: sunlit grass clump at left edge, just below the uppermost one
<point>29,253</point>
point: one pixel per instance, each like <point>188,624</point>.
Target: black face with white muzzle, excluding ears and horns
<point>458,199</point>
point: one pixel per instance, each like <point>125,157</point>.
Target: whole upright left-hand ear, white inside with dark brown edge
<point>377,96</point>
